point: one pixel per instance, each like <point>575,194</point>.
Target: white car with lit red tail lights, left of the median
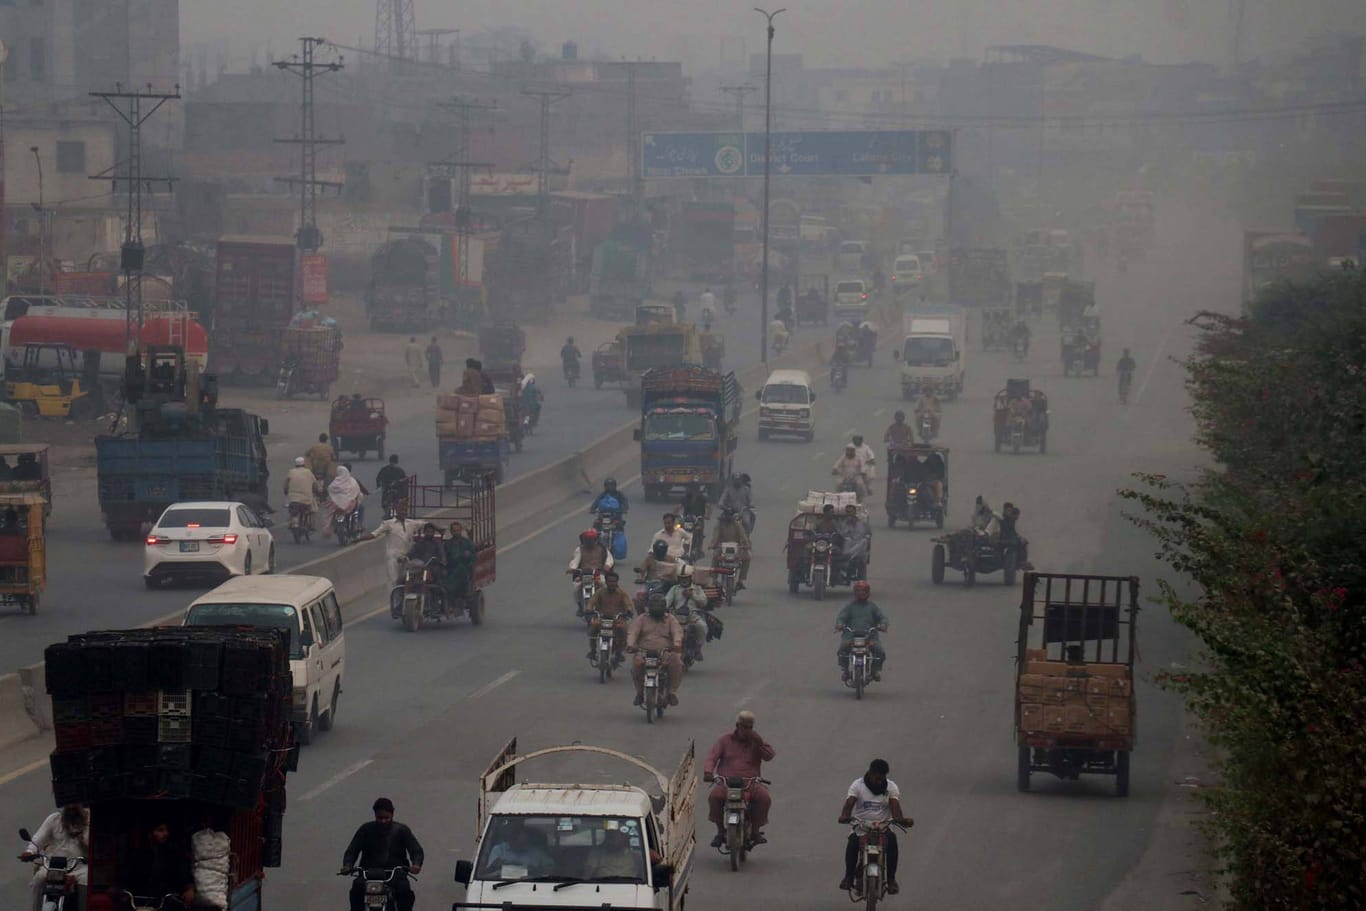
<point>207,540</point>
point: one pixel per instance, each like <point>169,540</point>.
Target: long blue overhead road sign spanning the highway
<point>856,154</point>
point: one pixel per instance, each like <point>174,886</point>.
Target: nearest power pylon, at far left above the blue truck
<point>132,255</point>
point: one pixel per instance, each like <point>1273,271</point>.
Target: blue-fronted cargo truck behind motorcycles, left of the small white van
<point>689,430</point>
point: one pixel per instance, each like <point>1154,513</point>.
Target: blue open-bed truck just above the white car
<point>180,446</point>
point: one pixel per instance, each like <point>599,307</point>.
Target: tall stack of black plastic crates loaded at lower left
<point>173,714</point>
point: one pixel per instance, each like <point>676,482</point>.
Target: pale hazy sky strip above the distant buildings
<point>828,32</point>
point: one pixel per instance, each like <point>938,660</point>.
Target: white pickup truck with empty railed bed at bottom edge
<point>579,823</point>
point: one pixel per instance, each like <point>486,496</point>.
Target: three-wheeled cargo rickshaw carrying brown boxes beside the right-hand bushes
<point>1074,689</point>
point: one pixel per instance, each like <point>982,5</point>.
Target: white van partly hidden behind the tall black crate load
<point>308,608</point>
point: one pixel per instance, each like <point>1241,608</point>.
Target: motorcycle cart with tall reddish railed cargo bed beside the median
<point>426,596</point>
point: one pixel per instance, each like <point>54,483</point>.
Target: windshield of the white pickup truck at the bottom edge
<point>558,849</point>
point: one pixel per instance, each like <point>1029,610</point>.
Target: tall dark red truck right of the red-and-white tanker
<point>255,298</point>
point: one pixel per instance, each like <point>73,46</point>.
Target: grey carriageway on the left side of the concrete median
<point>95,583</point>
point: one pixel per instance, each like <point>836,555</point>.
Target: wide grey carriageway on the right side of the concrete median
<point>424,714</point>
